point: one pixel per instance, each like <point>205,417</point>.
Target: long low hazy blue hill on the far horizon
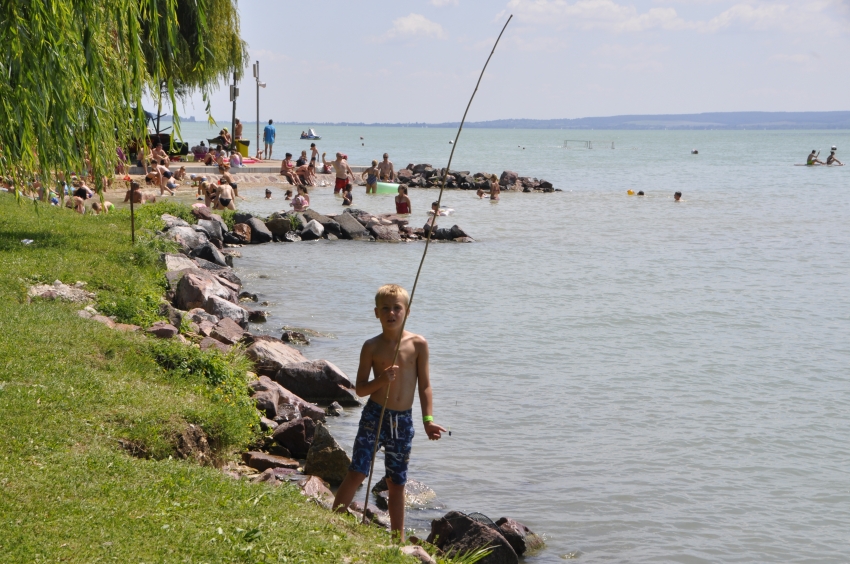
<point>714,120</point>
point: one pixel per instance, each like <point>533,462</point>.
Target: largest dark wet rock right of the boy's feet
<point>456,533</point>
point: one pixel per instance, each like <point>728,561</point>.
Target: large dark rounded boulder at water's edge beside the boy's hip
<point>317,381</point>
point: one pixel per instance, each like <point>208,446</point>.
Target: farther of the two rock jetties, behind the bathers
<point>426,176</point>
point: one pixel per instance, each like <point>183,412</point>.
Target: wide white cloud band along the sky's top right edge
<point>608,15</point>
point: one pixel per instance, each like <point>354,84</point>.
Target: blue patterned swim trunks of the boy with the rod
<point>396,438</point>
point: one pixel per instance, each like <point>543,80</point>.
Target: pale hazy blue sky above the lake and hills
<point>408,61</point>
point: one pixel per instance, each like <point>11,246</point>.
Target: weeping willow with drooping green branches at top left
<point>73,74</point>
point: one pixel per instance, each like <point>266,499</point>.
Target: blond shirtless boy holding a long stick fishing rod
<point>396,385</point>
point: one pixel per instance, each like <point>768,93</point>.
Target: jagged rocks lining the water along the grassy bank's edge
<point>207,307</point>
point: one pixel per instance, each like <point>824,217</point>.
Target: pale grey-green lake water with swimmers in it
<point>639,380</point>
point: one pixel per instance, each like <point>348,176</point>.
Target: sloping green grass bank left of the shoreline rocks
<point>73,391</point>
